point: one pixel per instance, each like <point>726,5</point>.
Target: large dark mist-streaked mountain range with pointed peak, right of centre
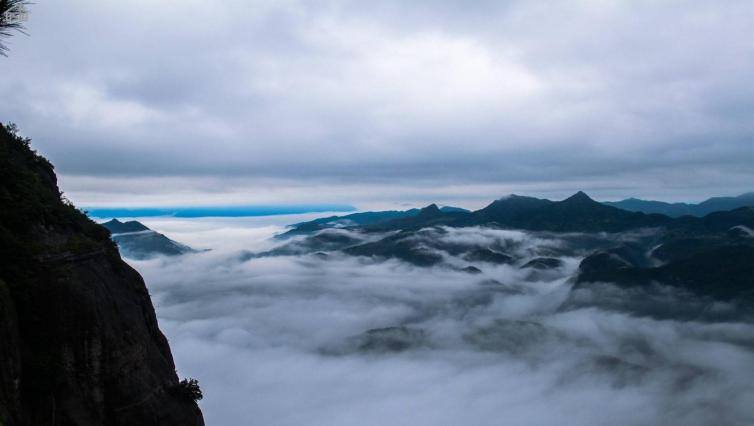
<point>712,255</point>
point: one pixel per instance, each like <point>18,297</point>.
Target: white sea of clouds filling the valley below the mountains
<point>283,340</point>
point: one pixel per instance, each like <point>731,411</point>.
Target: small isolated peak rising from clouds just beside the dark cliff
<point>137,241</point>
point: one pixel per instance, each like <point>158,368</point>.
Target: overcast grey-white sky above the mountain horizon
<point>228,102</point>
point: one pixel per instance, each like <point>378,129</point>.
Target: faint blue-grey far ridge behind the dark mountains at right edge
<point>681,209</point>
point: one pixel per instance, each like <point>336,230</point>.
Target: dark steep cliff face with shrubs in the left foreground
<point>79,341</point>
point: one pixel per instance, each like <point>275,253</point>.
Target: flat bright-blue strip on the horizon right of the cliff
<point>234,211</point>
